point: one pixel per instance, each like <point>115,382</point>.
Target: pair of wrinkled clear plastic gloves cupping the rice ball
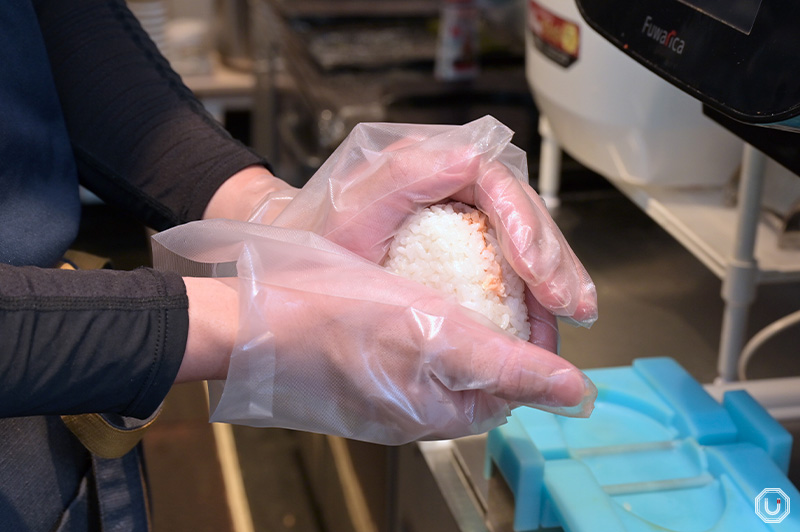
<point>330,342</point>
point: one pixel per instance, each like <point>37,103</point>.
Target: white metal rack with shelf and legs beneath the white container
<point>733,242</point>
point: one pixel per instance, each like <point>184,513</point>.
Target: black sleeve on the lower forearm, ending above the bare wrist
<point>89,341</point>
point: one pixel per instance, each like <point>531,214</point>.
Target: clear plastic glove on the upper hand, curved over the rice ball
<point>383,173</point>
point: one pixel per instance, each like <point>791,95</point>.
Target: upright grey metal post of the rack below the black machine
<point>739,285</point>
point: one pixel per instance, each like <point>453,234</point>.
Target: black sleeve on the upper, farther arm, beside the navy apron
<point>141,139</point>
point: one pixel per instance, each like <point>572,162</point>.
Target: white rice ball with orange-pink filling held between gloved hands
<point>451,248</point>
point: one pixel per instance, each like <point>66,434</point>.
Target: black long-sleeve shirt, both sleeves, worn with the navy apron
<point>111,341</point>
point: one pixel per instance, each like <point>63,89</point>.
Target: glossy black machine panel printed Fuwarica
<point>752,77</point>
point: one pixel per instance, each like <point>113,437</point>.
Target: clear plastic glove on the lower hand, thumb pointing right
<point>330,342</point>
